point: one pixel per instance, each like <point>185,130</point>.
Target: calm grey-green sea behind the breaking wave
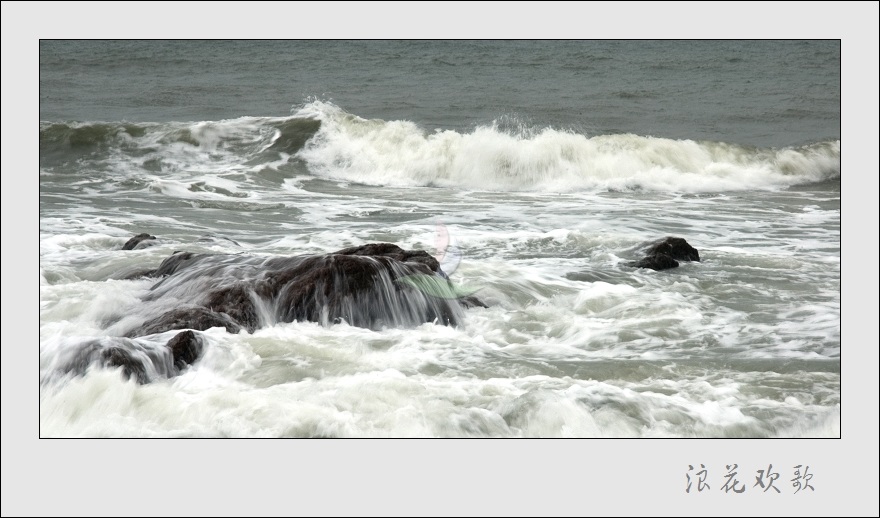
<point>761,93</point>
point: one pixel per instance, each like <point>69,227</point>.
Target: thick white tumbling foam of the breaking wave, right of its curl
<point>399,153</point>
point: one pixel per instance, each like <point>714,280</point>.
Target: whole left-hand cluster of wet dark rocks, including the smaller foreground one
<point>363,286</point>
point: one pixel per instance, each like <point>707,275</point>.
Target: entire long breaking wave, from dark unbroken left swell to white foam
<point>504,156</point>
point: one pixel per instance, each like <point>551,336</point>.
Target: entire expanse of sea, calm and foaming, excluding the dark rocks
<point>533,170</point>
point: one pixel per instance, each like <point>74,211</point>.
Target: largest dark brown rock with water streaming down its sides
<point>358,285</point>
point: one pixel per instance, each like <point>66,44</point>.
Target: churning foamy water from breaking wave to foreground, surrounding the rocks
<point>574,343</point>
